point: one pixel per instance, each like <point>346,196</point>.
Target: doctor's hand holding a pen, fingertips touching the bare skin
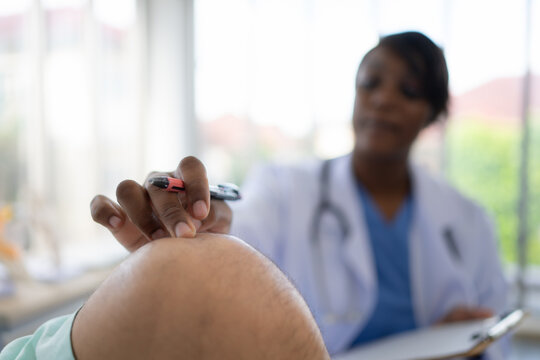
<point>147,213</point>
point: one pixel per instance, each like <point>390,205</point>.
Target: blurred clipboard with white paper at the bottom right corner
<point>461,339</point>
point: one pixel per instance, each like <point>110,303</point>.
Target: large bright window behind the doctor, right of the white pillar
<point>277,78</point>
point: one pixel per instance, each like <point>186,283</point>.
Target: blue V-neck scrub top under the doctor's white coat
<point>393,312</point>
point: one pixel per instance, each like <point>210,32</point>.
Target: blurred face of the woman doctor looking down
<point>389,109</point>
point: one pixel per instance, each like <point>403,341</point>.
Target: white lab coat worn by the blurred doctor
<point>276,215</point>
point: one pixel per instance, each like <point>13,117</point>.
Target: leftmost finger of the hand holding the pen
<point>110,215</point>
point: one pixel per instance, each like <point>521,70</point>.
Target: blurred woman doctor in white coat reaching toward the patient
<point>375,244</point>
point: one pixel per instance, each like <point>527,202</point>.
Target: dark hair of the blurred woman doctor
<point>426,61</point>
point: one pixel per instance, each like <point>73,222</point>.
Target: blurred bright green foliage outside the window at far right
<point>483,162</point>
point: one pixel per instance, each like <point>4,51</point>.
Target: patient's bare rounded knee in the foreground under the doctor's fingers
<point>211,297</point>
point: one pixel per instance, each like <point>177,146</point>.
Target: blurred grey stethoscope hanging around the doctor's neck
<point>326,208</point>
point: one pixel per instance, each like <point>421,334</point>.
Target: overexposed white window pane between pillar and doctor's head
<point>277,77</point>
